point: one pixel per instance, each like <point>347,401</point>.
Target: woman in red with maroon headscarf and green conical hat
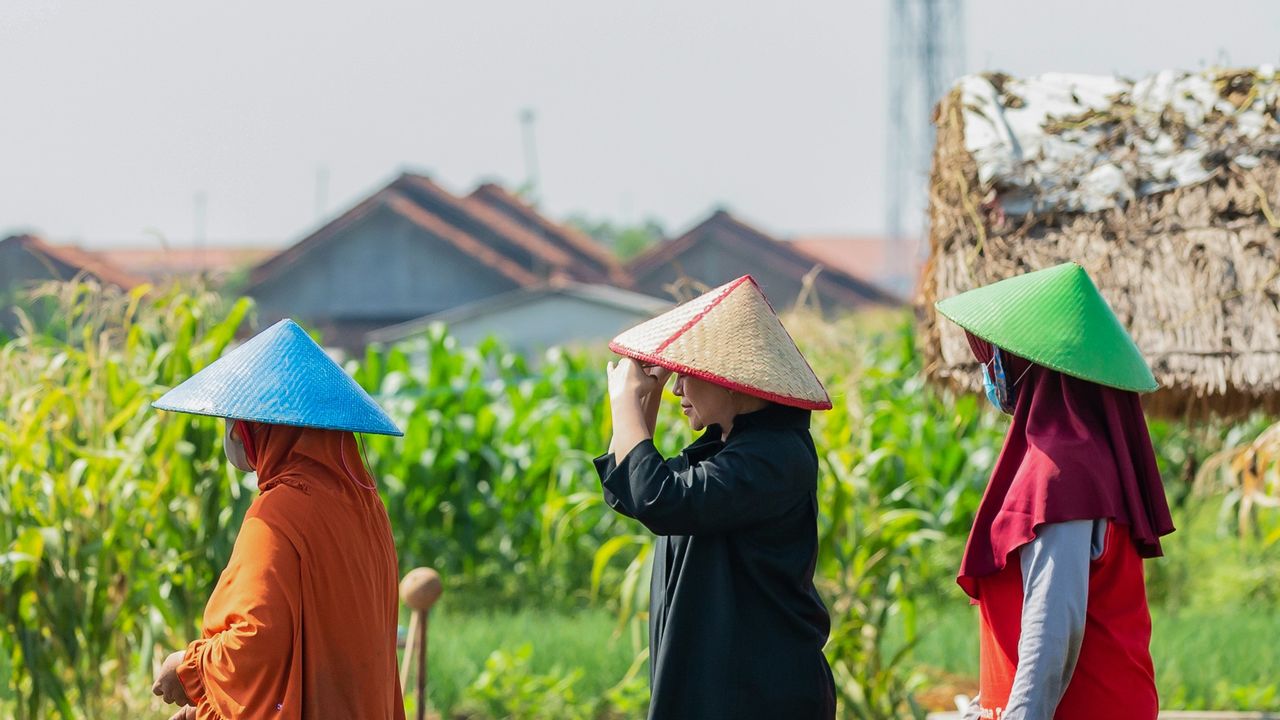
<point>1075,504</point>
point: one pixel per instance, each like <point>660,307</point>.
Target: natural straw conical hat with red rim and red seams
<point>732,338</point>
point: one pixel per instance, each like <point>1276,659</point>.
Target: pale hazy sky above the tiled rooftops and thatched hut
<point>115,116</point>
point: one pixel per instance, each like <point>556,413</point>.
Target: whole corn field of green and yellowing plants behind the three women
<point>117,520</point>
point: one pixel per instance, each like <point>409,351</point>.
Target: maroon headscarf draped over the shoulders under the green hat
<point>1076,452</point>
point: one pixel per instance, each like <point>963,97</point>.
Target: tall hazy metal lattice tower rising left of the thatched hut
<point>926,57</point>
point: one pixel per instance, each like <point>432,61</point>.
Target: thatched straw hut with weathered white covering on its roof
<point>1167,190</point>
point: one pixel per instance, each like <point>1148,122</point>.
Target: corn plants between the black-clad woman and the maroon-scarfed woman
<point>900,477</point>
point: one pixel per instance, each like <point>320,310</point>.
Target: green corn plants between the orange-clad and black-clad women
<point>493,484</point>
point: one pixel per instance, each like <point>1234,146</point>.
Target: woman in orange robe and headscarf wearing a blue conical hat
<point>303,622</point>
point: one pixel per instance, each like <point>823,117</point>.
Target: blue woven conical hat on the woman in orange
<point>281,377</point>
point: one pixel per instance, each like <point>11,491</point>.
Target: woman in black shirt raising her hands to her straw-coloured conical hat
<point>735,625</point>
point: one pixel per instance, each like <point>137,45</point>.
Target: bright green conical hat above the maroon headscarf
<point>1058,318</point>
